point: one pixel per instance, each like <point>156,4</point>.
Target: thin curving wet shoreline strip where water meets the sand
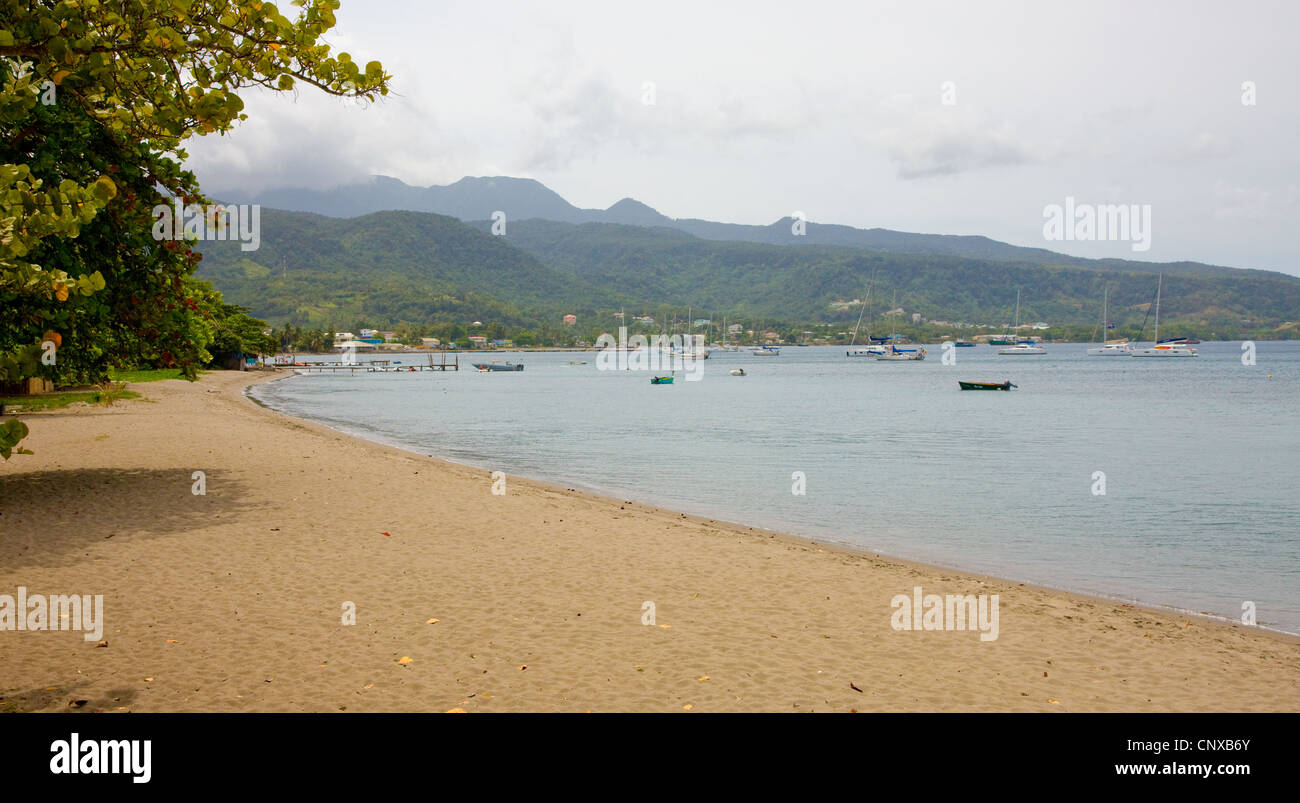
<point>606,496</point>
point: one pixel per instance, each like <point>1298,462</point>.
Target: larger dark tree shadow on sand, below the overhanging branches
<point>49,519</point>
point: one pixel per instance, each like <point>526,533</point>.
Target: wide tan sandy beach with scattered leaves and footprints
<point>530,601</point>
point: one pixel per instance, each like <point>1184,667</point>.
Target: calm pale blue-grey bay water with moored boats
<point>1201,457</point>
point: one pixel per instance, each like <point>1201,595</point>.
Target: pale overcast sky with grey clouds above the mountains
<point>835,110</point>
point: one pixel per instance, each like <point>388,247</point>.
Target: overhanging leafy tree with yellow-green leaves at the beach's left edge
<point>96,103</point>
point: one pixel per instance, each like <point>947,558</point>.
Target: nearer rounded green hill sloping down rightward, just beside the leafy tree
<point>388,268</point>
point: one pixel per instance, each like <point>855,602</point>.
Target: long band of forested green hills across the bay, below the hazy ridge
<point>419,268</point>
